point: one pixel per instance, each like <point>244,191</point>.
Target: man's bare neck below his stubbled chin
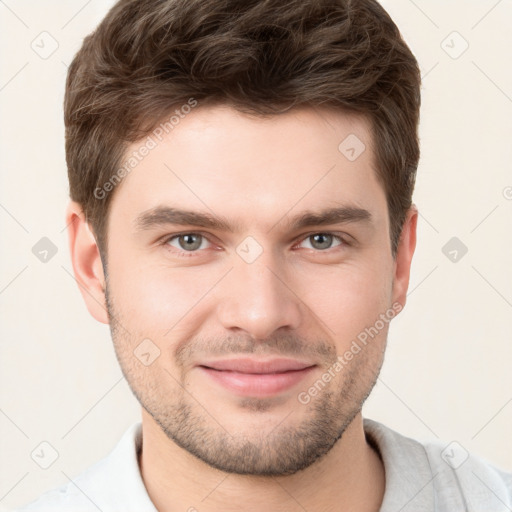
<point>351,476</point>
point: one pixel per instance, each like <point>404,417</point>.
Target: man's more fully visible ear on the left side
<point>86,260</point>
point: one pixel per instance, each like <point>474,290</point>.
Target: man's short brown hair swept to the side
<point>262,57</point>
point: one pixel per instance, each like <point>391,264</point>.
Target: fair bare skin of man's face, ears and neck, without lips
<point>303,297</point>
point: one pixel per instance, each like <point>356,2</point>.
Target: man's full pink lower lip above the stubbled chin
<point>257,384</point>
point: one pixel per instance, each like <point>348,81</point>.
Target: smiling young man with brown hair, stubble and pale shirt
<point>241,176</point>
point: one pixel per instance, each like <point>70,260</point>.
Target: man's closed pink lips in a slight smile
<point>250,377</point>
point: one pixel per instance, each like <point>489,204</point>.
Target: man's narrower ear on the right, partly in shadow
<point>403,260</point>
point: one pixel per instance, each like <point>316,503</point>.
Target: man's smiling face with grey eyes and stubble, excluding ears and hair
<point>182,297</point>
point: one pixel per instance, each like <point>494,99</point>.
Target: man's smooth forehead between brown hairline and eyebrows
<point>216,159</point>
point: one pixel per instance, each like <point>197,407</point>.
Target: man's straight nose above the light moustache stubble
<point>257,299</point>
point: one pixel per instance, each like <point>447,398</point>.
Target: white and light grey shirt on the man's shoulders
<point>420,477</point>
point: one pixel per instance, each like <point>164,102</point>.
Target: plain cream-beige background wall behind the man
<point>447,371</point>
